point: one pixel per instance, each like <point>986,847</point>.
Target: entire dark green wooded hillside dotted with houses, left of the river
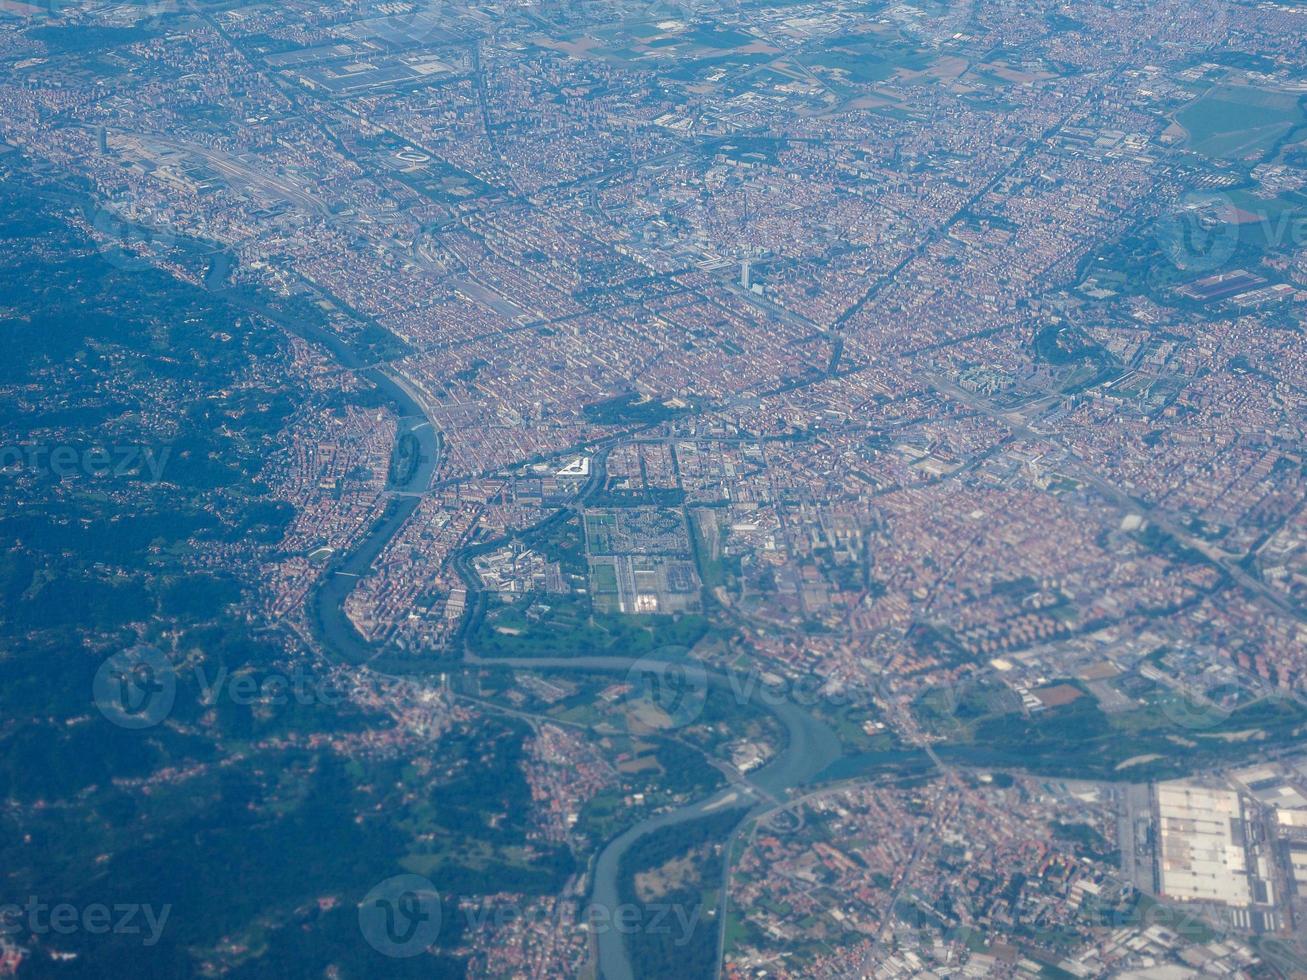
<point>232,811</point>
